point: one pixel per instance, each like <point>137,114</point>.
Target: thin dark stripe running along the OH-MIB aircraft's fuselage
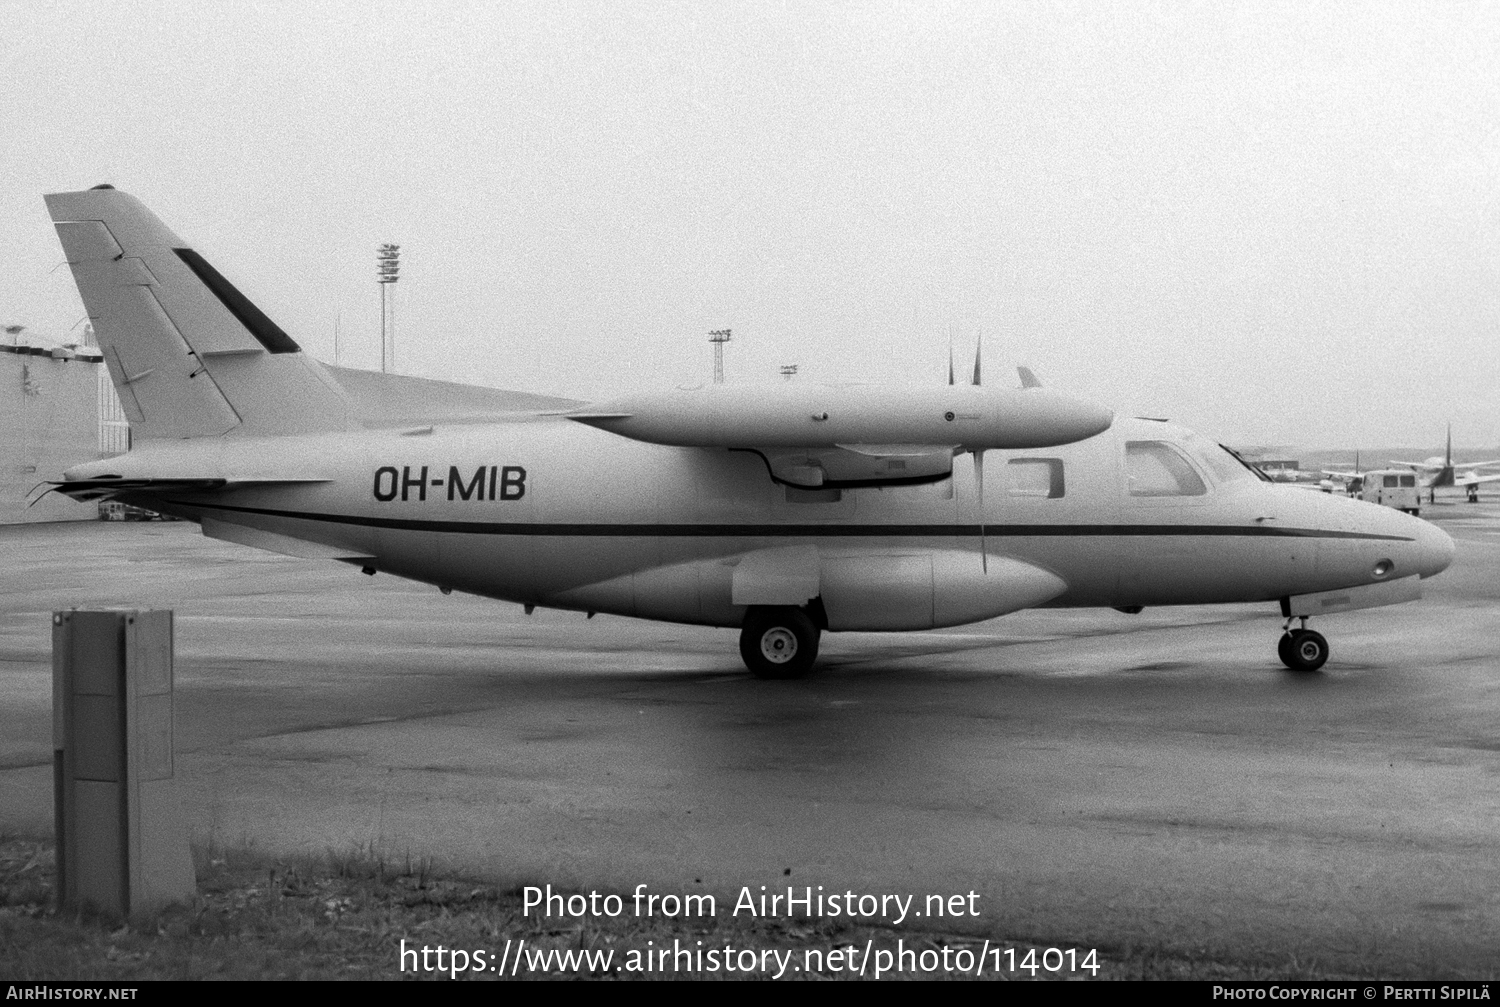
<point>601,531</point>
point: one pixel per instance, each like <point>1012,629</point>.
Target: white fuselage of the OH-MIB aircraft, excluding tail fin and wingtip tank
<point>550,513</point>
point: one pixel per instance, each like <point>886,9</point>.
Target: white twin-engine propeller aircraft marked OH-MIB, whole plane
<point>784,511</point>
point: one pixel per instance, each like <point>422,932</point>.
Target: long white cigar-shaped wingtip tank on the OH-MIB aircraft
<point>830,416</point>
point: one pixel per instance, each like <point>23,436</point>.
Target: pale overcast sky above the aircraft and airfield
<point>1273,223</point>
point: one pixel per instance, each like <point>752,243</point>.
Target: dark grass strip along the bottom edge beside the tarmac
<point>346,913</point>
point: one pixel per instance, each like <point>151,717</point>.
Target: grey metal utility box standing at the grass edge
<point>121,843</point>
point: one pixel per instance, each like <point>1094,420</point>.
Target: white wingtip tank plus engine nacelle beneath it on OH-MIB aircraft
<point>851,436</point>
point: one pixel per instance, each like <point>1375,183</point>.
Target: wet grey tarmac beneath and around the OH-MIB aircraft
<point>1099,780</point>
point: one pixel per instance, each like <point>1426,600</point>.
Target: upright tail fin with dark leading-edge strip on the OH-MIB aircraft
<point>188,353</point>
